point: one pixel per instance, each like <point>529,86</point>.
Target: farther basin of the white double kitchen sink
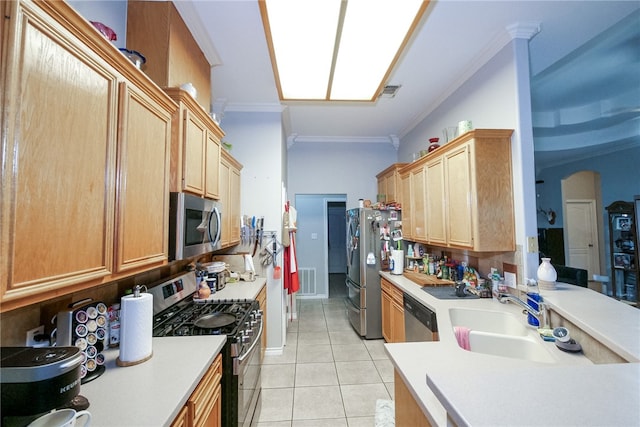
<point>496,322</point>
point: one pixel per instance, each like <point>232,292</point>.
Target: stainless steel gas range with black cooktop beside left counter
<point>176,314</point>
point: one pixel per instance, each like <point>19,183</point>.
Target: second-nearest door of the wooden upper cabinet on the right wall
<point>436,201</point>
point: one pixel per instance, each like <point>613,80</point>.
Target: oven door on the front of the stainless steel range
<point>247,367</point>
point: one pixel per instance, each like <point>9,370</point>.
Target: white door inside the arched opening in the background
<point>582,235</point>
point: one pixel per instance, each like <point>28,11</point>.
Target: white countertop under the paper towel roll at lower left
<point>153,392</point>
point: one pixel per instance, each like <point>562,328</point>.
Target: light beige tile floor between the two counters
<point>327,375</point>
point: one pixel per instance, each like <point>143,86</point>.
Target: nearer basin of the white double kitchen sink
<point>526,348</point>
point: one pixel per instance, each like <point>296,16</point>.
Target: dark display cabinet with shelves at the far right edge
<point>624,251</point>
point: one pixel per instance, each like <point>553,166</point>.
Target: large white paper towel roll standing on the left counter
<point>136,329</point>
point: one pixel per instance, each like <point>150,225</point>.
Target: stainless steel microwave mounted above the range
<point>195,226</point>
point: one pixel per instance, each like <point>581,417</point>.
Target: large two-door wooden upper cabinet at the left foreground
<point>86,134</point>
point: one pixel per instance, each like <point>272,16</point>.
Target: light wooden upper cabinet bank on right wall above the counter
<point>469,193</point>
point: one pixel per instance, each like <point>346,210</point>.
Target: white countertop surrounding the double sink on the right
<point>478,389</point>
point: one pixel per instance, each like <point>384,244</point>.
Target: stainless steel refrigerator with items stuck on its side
<point>370,235</point>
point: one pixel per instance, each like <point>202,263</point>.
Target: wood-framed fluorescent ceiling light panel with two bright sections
<point>336,49</point>
